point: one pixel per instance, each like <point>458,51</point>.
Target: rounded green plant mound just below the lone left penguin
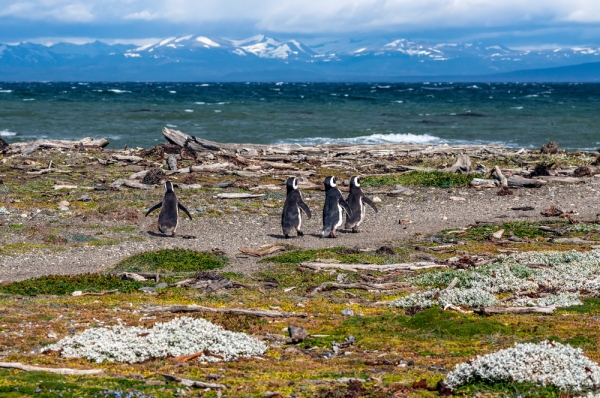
<point>176,260</point>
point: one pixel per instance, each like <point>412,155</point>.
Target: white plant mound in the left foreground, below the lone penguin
<point>180,336</point>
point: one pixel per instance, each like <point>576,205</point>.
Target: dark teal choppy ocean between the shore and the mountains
<point>517,115</point>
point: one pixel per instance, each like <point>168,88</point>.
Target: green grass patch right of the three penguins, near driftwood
<point>420,178</point>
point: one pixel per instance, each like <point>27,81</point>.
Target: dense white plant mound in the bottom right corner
<point>545,363</point>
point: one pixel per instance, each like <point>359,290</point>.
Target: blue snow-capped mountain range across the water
<point>262,58</point>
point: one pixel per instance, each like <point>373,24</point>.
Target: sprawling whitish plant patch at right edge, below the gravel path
<point>565,274</point>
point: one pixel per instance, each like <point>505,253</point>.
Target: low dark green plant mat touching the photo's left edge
<point>67,284</point>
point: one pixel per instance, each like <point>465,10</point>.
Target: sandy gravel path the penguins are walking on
<point>427,209</point>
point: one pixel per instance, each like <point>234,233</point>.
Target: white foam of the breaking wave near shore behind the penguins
<point>369,139</point>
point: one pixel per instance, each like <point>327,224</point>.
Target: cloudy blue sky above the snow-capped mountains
<point>516,23</point>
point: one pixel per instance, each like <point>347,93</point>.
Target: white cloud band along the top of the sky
<point>313,16</point>
